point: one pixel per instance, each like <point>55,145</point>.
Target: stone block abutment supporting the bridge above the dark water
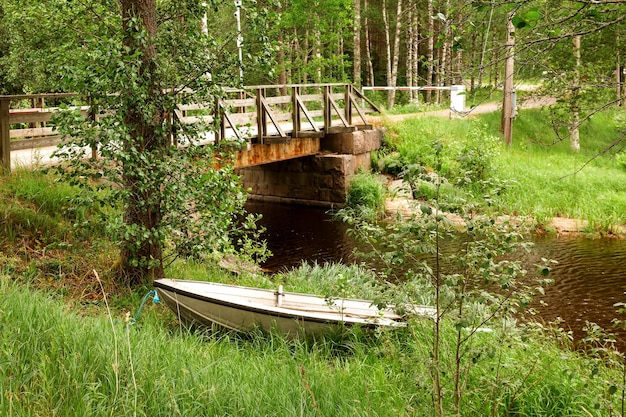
<point>318,180</point>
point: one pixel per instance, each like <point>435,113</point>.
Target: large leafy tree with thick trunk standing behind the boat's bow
<point>174,201</point>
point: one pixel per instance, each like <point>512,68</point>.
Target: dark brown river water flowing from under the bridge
<point>590,276</point>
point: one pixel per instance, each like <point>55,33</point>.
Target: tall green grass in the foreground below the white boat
<point>57,362</point>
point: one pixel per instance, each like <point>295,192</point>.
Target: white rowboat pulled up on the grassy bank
<point>244,308</point>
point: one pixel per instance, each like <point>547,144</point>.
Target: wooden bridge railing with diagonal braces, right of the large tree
<point>275,113</point>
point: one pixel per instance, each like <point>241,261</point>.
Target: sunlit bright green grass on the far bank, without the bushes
<point>545,178</point>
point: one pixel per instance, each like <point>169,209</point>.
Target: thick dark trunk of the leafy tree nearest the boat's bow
<point>142,257</point>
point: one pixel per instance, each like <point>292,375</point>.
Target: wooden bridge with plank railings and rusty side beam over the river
<point>277,122</point>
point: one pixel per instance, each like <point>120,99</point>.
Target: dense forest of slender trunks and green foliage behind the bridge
<point>411,43</point>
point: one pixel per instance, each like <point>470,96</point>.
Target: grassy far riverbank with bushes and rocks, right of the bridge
<point>537,177</point>
